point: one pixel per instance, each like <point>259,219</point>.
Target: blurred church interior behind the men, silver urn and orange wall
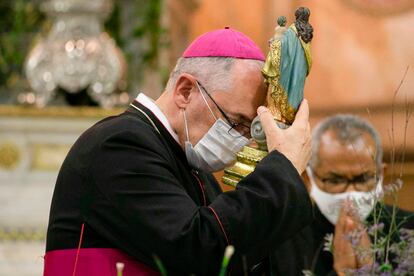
<point>65,64</point>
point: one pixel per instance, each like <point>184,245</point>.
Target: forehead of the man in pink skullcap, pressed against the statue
<point>248,90</point>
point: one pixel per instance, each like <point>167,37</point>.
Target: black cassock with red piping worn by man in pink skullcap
<point>128,180</point>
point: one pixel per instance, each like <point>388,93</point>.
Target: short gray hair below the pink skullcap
<point>212,72</point>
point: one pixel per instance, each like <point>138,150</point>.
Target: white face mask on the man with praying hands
<point>330,204</point>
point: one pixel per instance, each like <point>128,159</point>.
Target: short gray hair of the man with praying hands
<point>347,128</point>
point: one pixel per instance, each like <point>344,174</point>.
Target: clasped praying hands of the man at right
<point>348,255</point>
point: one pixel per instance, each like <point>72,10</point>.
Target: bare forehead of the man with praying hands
<point>350,157</point>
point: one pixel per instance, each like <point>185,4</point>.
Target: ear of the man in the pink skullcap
<point>183,89</point>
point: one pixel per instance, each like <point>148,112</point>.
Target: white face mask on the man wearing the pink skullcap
<point>217,148</point>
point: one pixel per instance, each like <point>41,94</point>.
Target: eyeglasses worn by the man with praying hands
<point>339,184</point>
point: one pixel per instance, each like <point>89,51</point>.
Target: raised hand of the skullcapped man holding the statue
<point>293,142</point>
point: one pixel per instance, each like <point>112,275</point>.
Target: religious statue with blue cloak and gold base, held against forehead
<point>287,65</point>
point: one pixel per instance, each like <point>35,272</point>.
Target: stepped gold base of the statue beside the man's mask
<point>247,160</point>
